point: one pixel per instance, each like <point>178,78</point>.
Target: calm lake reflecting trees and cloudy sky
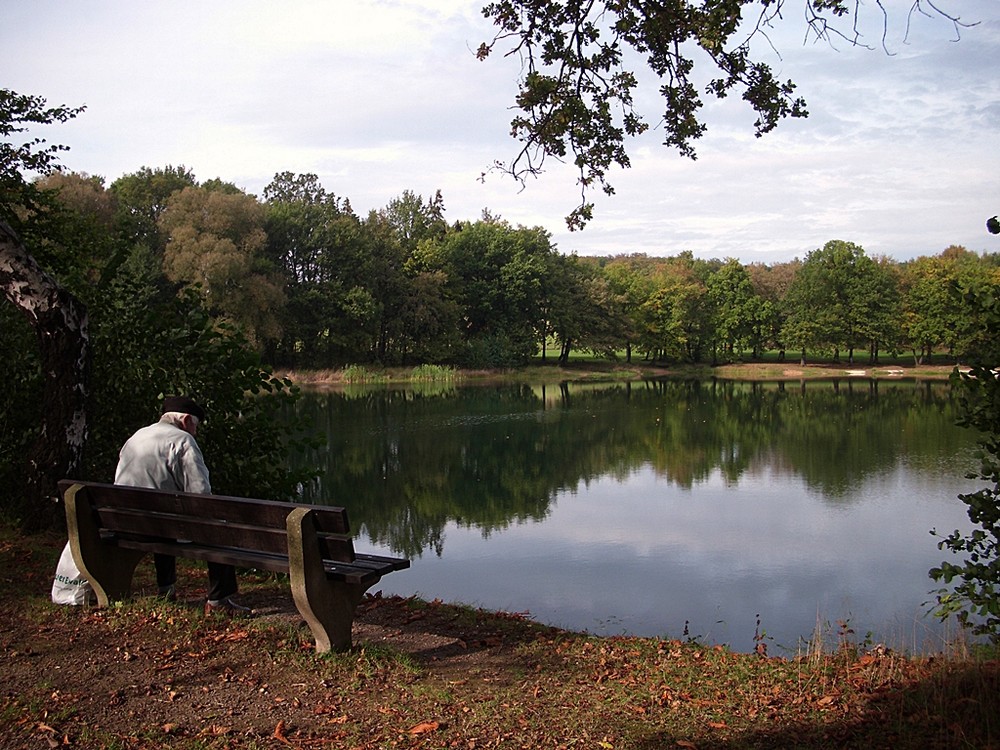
<point>732,512</point>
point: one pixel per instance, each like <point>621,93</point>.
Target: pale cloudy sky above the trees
<point>900,153</point>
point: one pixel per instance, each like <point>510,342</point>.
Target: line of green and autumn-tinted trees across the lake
<point>312,284</point>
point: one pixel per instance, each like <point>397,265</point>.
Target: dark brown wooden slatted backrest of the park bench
<point>214,520</point>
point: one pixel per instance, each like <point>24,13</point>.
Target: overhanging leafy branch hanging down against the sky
<point>575,98</point>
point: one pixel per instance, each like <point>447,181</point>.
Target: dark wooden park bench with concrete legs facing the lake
<point>111,528</point>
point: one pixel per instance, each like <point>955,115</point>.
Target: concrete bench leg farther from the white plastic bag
<point>327,606</point>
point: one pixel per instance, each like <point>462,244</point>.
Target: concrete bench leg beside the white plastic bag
<point>108,568</point>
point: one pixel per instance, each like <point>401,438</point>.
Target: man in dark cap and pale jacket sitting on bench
<point>166,456</point>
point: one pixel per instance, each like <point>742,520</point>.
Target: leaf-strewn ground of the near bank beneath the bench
<point>150,674</point>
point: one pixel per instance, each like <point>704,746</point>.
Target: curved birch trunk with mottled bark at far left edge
<point>60,323</point>
